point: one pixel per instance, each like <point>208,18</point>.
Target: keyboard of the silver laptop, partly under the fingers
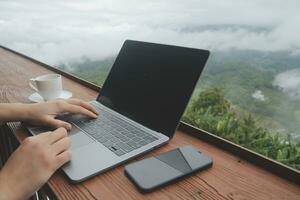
<point>116,134</point>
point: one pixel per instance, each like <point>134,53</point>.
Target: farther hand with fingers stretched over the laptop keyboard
<point>45,113</point>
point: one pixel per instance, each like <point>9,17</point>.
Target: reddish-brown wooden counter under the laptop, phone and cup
<point>231,177</point>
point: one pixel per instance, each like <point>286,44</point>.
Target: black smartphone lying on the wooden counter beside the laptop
<point>154,172</point>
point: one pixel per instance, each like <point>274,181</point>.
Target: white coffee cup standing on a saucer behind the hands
<point>48,86</point>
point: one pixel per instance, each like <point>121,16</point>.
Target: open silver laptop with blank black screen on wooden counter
<point>140,106</point>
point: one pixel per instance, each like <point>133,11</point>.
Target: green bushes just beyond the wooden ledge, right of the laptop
<point>212,112</point>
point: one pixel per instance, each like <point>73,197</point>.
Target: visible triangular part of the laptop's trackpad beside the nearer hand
<point>79,139</point>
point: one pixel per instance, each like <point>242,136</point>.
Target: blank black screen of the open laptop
<point>152,83</point>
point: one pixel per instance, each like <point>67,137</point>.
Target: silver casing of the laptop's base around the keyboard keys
<point>89,156</point>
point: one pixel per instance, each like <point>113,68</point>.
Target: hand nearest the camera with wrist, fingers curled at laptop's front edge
<point>33,163</point>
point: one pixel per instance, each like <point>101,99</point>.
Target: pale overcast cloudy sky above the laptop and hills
<point>61,31</point>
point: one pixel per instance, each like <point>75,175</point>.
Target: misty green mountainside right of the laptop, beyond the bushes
<point>247,79</point>
